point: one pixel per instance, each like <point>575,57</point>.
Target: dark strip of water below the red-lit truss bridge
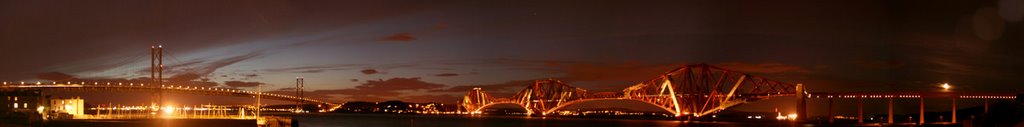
<point>385,120</point>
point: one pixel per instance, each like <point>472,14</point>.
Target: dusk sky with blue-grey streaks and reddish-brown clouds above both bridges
<point>438,51</point>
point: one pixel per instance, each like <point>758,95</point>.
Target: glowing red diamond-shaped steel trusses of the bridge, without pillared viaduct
<point>690,91</point>
